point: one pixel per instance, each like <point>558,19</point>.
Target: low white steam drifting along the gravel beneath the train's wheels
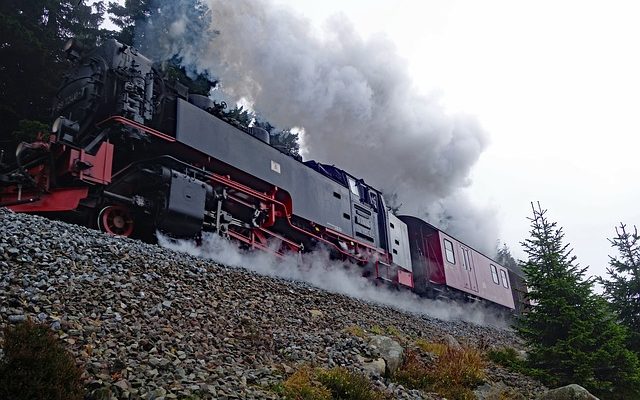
<point>317,270</point>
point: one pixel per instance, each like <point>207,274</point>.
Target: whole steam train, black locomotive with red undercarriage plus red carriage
<point>132,152</point>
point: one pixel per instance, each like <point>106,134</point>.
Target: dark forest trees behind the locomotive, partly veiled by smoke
<point>32,35</point>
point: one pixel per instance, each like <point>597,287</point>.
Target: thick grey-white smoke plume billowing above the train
<point>352,96</point>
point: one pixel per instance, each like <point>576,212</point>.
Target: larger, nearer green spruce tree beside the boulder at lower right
<point>572,335</point>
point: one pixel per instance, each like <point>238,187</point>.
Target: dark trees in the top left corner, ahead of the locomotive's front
<point>32,34</point>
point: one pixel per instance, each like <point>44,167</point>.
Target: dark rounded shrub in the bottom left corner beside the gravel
<point>36,366</point>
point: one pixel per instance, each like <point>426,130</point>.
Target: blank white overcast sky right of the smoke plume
<point>556,84</point>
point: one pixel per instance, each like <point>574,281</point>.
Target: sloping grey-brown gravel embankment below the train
<point>152,323</point>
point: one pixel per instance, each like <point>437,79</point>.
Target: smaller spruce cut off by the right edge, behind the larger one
<point>623,288</point>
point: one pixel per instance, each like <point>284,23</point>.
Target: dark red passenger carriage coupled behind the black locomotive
<point>444,266</point>
